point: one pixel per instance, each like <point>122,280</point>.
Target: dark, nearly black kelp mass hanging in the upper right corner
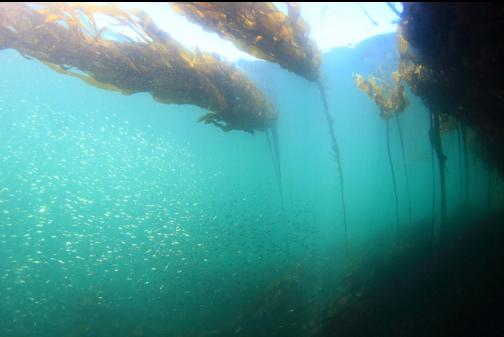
<point>455,56</point>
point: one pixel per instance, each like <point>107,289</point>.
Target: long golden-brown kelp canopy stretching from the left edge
<point>145,59</point>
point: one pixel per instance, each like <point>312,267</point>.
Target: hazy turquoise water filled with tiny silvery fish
<point>121,216</point>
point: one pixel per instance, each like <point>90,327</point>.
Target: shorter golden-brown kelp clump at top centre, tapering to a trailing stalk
<point>260,29</point>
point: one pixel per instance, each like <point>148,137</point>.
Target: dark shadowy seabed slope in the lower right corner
<point>426,290</point>
